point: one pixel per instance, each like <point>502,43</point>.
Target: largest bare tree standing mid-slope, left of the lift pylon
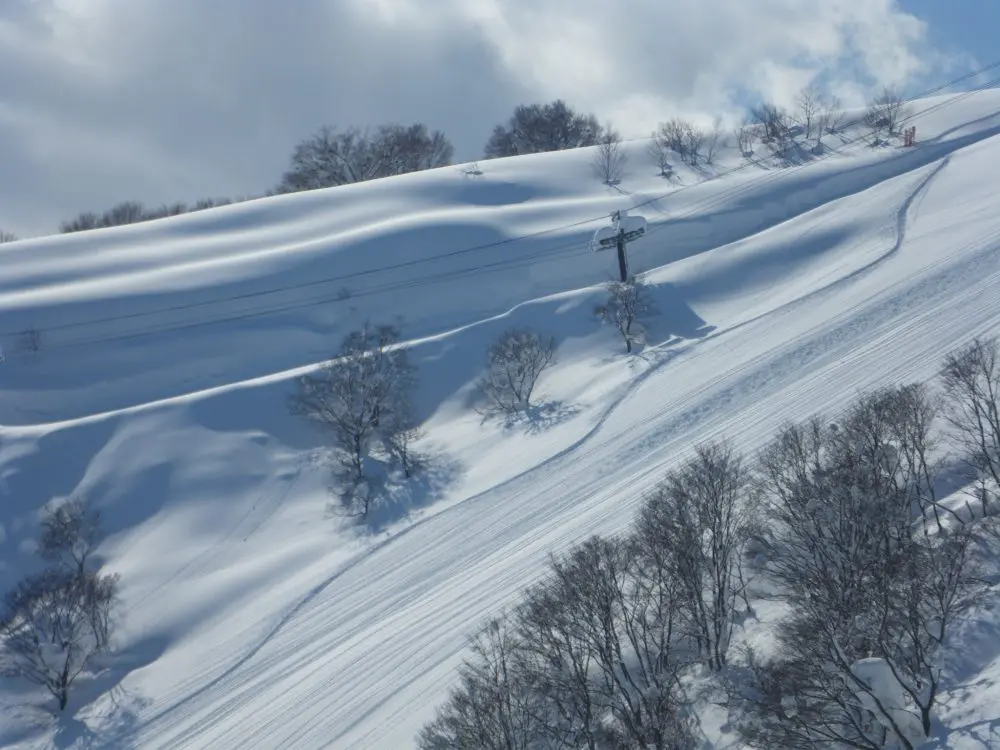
<point>361,400</point>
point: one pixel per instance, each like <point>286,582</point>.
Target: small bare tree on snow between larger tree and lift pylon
<point>516,360</point>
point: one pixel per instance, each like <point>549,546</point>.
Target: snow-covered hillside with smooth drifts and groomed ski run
<point>252,619</point>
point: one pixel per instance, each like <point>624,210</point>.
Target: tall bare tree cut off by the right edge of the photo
<point>971,379</point>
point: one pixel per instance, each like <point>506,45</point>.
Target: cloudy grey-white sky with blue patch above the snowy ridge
<point>169,100</point>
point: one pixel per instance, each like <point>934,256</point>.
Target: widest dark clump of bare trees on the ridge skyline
<point>330,158</point>
